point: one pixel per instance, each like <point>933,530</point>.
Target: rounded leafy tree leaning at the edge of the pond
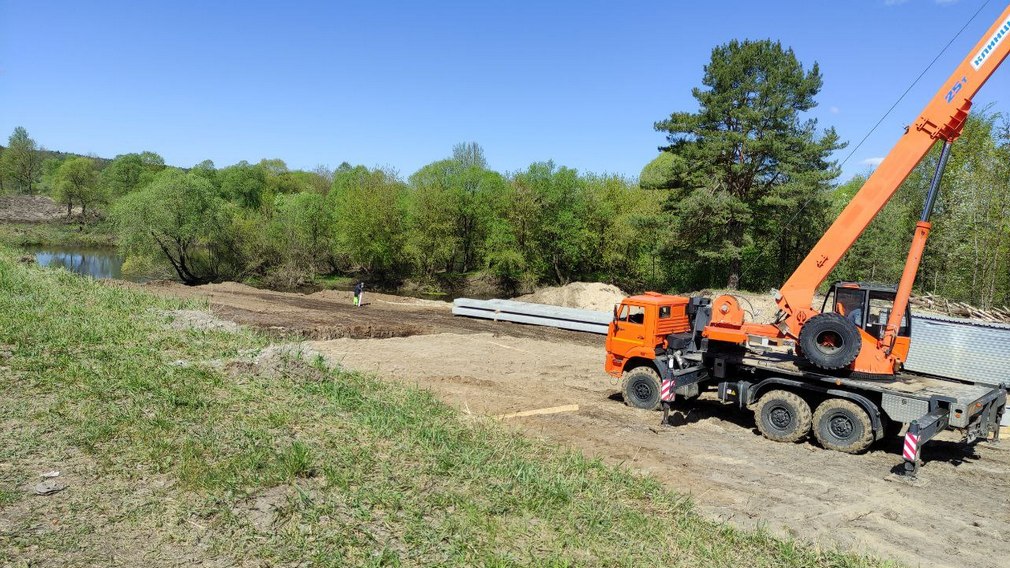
<point>180,218</point>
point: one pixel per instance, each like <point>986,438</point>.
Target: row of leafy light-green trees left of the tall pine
<point>451,219</point>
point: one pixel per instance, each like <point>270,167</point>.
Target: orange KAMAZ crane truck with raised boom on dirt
<point>837,371</point>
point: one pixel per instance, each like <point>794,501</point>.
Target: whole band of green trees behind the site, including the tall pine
<point>741,194</point>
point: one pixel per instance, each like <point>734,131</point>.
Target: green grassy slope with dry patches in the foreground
<point>212,446</point>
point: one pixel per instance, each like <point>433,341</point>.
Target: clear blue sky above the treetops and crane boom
<point>396,84</point>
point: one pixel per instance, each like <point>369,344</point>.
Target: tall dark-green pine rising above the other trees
<point>747,141</point>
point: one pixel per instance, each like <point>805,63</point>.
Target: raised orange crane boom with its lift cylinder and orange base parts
<point>942,120</point>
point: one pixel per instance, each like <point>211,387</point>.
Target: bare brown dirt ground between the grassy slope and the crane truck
<point>957,515</point>
